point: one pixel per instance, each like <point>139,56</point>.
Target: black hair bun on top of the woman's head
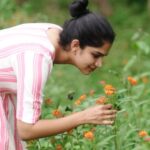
<point>78,8</point>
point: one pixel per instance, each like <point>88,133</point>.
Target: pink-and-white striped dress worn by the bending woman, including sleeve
<point>26,60</point>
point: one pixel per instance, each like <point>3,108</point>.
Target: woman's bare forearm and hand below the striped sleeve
<point>102,114</point>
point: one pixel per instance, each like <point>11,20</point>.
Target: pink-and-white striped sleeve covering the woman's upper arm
<point>32,70</point>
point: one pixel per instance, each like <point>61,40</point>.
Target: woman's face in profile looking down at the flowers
<point>90,58</point>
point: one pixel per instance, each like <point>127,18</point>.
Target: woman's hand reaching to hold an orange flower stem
<point>101,114</point>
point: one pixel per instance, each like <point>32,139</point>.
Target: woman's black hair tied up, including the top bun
<point>89,28</point>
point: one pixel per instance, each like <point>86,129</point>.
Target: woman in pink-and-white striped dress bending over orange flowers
<point>27,54</point>
